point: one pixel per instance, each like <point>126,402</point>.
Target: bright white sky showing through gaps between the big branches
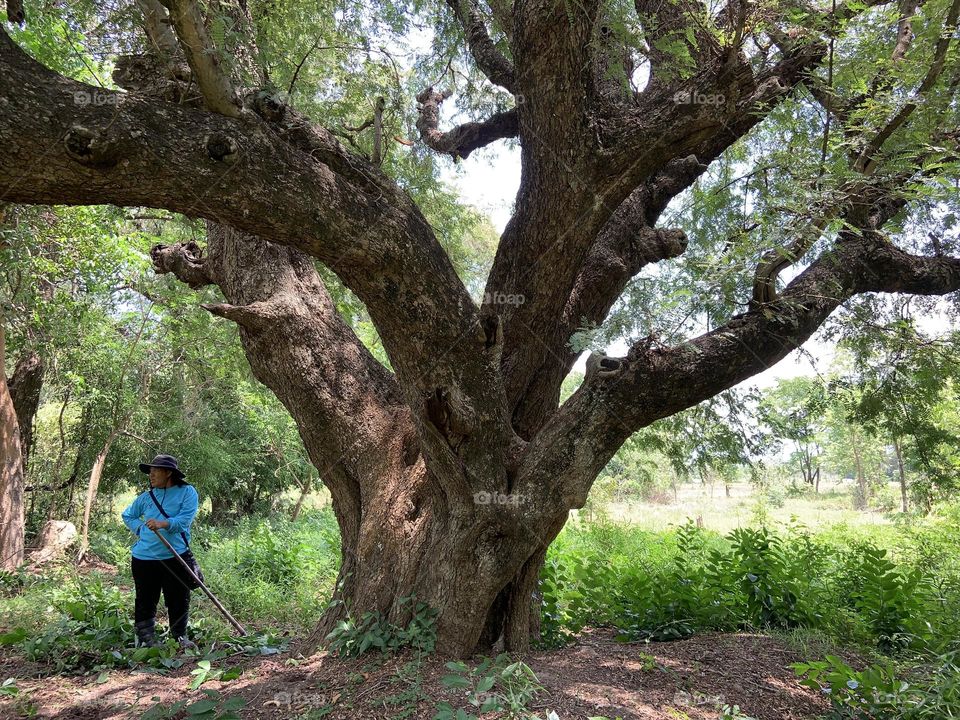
<point>489,179</point>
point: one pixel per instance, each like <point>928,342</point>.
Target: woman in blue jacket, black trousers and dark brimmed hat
<point>168,507</point>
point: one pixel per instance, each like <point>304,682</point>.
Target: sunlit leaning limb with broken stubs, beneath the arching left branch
<point>345,402</point>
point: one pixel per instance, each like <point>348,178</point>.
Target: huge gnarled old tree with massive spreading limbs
<point>453,469</point>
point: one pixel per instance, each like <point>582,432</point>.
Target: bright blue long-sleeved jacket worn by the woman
<point>180,503</point>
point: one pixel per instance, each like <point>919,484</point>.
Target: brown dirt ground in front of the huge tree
<point>596,676</point>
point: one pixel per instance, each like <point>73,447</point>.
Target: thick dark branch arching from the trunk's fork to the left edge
<point>337,207</point>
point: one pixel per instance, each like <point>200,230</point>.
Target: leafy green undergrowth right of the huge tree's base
<point>668,586</point>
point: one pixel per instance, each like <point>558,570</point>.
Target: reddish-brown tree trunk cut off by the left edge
<point>11,475</point>
